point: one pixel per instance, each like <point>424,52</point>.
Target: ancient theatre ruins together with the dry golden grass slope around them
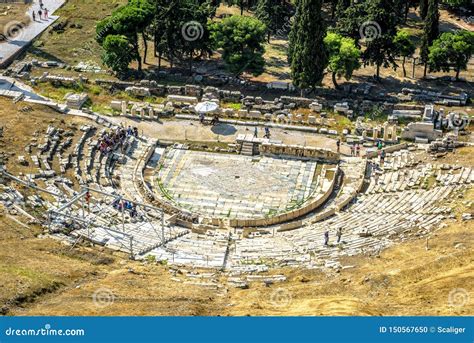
<point>173,227</point>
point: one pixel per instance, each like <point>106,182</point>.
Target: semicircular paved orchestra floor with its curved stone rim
<point>242,191</point>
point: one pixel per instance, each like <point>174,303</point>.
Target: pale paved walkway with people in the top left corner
<point>23,37</point>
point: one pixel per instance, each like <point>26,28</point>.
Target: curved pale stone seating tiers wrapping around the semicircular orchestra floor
<point>374,206</point>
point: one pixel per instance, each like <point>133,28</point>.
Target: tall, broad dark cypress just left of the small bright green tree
<point>307,53</point>
